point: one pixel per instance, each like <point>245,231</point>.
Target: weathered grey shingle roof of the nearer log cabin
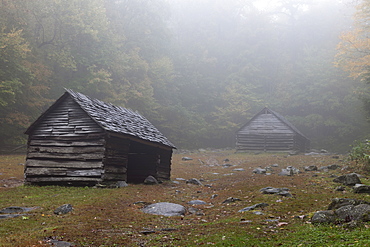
<point>116,119</point>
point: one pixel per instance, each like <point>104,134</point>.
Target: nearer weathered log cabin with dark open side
<point>84,141</point>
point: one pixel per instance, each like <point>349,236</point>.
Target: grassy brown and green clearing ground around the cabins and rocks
<point>113,217</point>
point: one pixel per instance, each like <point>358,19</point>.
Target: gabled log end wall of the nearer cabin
<point>67,147</point>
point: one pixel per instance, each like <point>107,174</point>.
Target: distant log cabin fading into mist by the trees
<point>269,131</point>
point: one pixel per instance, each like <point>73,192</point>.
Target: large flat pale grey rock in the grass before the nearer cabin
<point>165,209</point>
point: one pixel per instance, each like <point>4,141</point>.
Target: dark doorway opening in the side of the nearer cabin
<point>142,162</point>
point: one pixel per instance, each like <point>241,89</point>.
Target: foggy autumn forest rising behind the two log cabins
<point>197,69</point>
